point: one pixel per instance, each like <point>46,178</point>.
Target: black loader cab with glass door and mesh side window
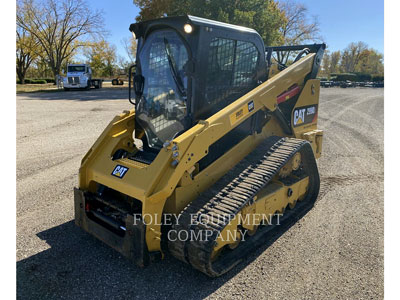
<point>189,69</point>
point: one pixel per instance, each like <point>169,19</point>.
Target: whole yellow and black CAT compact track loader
<point>218,152</point>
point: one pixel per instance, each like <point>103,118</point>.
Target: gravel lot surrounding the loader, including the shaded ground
<point>334,252</point>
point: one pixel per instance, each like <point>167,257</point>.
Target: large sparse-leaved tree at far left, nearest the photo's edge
<point>59,26</point>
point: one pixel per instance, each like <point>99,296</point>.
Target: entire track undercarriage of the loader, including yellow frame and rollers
<point>273,186</point>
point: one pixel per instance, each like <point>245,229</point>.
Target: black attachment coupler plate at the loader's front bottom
<point>132,244</point>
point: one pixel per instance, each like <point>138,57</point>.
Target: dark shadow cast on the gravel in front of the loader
<point>78,266</point>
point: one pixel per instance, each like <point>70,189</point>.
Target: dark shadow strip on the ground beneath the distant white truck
<point>80,95</point>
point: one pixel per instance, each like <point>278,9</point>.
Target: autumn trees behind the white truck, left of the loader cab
<point>52,33</point>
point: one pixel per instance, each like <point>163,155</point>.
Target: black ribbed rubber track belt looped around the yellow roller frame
<point>230,194</point>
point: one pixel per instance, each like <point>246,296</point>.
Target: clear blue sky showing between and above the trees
<point>341,21</point>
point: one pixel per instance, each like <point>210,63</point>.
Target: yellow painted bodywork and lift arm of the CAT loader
<point>162,187</point>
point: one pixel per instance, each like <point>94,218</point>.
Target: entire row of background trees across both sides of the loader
<point>52,33</point>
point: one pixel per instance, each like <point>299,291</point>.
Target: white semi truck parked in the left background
<point>80,76</point>
